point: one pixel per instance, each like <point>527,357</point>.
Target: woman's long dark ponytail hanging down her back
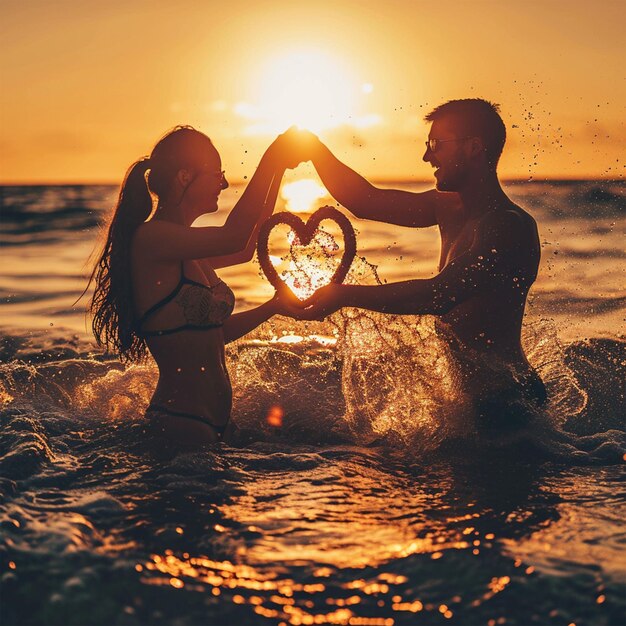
<point>112,308</point>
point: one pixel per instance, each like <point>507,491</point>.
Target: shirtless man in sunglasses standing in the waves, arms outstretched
<point>490,248</point>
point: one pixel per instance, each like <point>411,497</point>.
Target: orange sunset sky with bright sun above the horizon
<point>88,87</point>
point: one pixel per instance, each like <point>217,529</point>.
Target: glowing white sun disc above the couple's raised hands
<point>308,88</point>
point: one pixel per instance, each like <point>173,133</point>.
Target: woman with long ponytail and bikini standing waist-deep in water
<point>156,286</point>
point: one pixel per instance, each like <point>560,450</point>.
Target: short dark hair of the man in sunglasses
<point>476,118</point>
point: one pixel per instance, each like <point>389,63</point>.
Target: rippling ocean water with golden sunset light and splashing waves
<point>357,495</point>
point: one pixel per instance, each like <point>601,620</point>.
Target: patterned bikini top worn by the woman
<point>199,307</point>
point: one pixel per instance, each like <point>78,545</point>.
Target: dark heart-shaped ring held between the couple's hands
<point>305,233</point>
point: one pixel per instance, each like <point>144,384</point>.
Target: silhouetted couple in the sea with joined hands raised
<point>157,290</point>
